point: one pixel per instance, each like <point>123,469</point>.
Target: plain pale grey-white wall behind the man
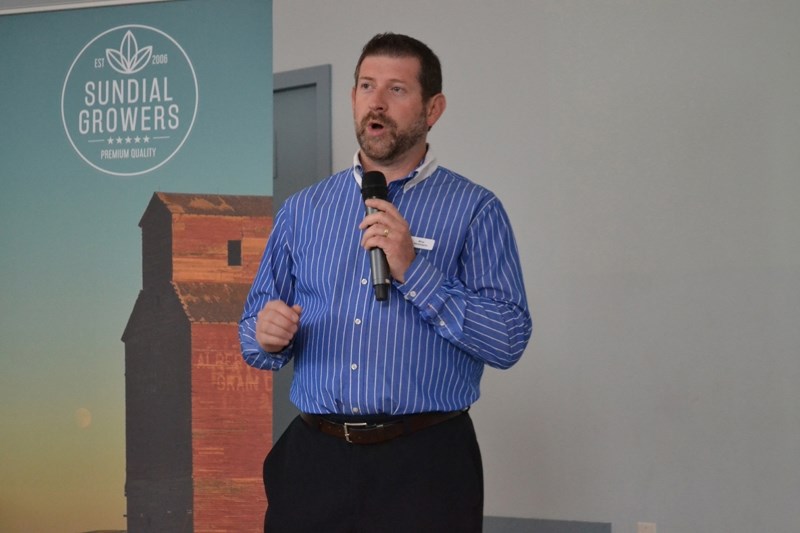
<point>647,153</point>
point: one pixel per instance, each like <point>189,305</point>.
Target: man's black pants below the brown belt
<point>429,481</point>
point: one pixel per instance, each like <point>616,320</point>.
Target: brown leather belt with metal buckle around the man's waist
<point>375,433</point>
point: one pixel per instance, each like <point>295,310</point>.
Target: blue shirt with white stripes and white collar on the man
<point>462,305</point>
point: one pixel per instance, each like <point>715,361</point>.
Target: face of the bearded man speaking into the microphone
<point>390,118</point>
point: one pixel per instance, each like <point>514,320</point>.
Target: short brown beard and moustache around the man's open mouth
<point>395,142</point>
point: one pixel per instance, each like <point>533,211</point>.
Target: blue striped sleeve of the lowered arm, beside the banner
<point>272,282</point>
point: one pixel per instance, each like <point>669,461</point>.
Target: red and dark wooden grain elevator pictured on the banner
<point>198,419</point>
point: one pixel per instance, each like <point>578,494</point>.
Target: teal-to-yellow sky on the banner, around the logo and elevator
<point>71,246</point>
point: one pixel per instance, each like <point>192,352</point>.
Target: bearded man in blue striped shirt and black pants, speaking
<point>384,441</point>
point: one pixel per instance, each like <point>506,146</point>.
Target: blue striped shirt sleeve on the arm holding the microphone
<point>483,310</point>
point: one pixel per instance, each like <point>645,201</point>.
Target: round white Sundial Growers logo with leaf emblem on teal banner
<point>129,100</point>
